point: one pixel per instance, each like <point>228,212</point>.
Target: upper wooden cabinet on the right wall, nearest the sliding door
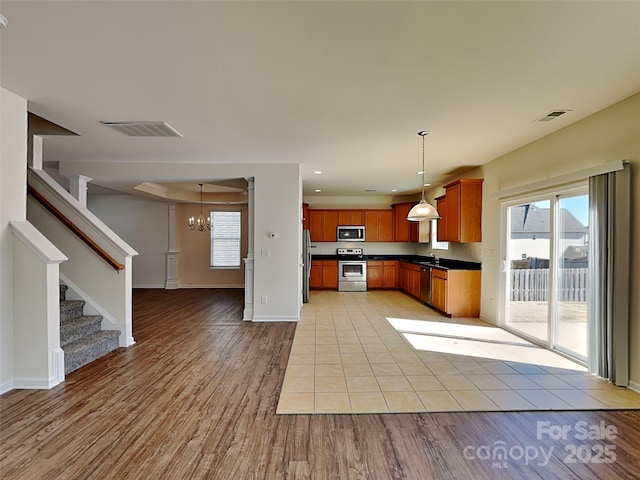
<point>460,210</point>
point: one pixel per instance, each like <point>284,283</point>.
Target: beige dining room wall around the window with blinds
<point>194,247</point>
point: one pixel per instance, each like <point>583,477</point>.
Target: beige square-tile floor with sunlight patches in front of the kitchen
<point>384,352</point>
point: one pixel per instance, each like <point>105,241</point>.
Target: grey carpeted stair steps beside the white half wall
<point>81,336</point>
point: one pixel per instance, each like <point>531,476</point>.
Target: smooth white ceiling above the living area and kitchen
<point>341,87</point>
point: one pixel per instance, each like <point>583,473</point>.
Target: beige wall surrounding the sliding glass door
<point>610,135</point>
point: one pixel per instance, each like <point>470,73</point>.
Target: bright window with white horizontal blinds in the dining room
<point>225,239</point>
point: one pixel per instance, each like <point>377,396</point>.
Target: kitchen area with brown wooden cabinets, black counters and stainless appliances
<point>436,262</point>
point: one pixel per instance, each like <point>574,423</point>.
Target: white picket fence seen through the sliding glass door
<point>532,285</point>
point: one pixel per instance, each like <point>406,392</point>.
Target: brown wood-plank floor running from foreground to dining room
<point>196,398</point>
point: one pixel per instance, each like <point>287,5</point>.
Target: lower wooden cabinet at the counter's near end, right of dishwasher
<point>456,292</point>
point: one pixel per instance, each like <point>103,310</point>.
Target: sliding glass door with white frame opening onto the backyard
<point>546,270</point>
